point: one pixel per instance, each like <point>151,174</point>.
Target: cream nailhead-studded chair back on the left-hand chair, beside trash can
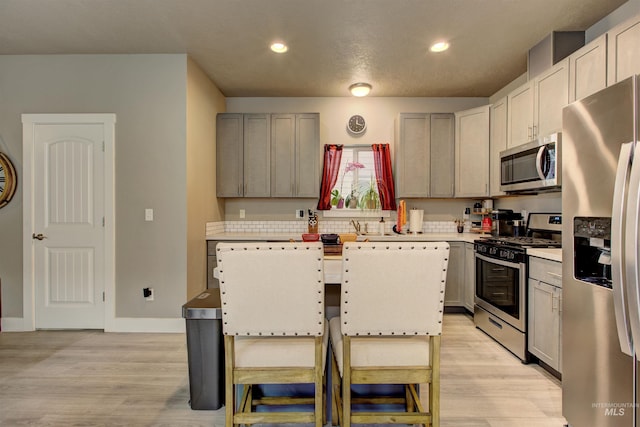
<point>271,289</point>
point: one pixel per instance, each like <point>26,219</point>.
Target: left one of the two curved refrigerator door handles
<point>625,336</point>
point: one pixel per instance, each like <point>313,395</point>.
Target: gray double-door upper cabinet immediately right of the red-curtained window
<point>424,157</point>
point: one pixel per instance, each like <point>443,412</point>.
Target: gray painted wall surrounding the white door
<point>148,95</point>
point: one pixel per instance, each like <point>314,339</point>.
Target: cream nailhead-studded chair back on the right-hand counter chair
<point>393,288</point>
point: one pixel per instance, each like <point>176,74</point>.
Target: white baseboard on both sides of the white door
<point>119,324</point>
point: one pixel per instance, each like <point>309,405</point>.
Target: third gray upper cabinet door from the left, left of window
<point>283,135</point>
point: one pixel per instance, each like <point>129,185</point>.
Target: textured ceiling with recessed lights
<point>332,43</point>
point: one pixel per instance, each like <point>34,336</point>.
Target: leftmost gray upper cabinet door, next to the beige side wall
<point>229,155</point>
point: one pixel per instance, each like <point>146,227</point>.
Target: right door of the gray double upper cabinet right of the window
<point>442,155</point>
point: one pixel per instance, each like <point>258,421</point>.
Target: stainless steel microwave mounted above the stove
<point>532,167</point>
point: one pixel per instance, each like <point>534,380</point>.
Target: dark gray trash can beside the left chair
<point>205,350</point>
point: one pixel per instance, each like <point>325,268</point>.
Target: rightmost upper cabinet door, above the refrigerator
<point>623,51</point>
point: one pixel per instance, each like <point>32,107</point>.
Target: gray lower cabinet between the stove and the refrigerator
<point>545,311</point>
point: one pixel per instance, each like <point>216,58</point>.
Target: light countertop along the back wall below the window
<point>281,237</point>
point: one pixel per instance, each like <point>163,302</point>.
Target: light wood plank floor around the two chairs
<point>90,378</point>
